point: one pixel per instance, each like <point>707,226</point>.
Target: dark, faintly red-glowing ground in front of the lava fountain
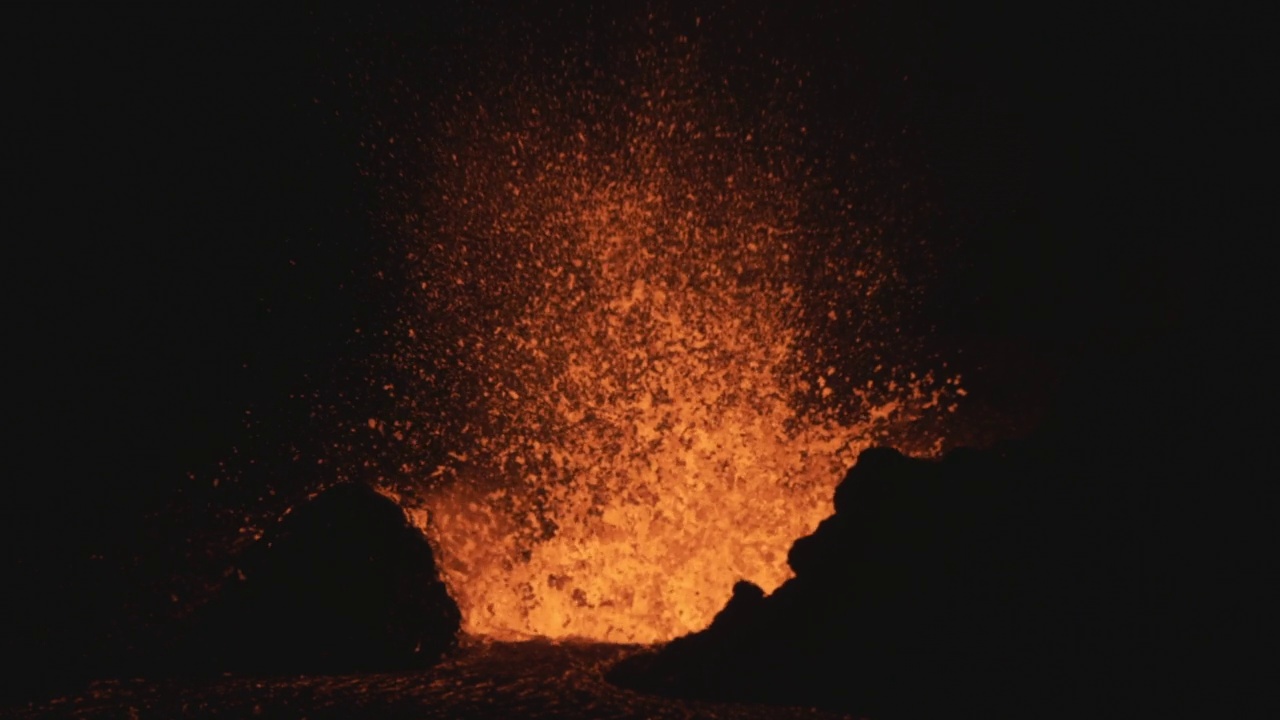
<point>531,680</point>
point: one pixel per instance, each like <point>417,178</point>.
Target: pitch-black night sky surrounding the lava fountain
<point>189,238</point>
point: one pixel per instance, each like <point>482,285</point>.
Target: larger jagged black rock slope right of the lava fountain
<point>985,585</point>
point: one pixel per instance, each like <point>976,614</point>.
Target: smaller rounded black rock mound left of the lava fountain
<point>344,584</point>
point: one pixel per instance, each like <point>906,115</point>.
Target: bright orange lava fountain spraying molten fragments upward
<point>610,377</point>
